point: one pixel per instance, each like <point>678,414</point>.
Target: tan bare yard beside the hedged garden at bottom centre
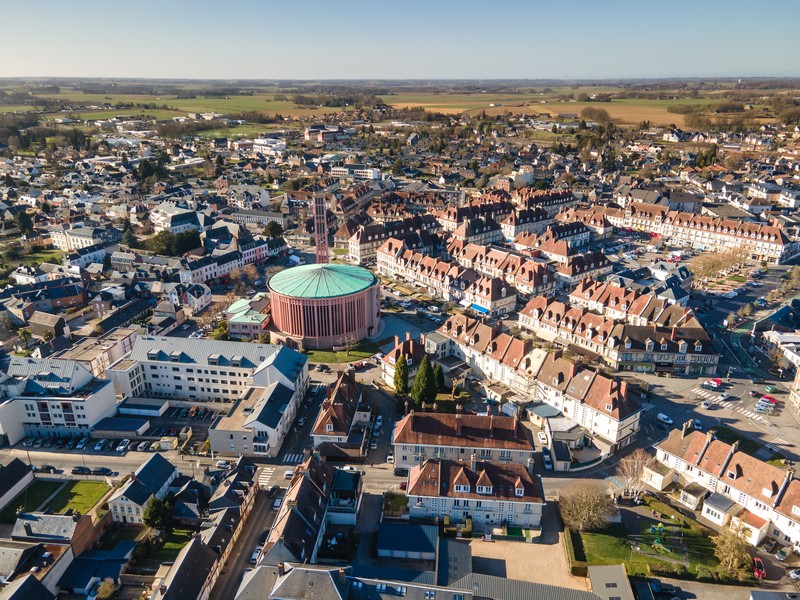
<point>543,562</point>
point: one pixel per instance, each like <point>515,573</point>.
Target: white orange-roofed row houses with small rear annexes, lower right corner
<point>728,486</point>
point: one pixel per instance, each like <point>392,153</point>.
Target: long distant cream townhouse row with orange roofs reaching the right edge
<point>763,242</point>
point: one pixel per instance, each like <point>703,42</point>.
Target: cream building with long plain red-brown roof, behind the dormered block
<point>420,436</point>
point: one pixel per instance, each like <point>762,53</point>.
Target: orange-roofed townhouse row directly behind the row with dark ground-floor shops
<point>631,305</point>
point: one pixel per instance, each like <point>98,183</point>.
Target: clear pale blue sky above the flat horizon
<point>379,39</point>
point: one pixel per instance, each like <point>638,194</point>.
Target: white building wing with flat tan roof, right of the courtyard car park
<point>259,421</point>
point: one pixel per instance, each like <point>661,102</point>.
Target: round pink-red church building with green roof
<point>325,305</point>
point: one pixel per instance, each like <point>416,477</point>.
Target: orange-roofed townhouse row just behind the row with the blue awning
<point>528,276</point>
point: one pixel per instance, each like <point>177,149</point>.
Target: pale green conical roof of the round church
<point>321,281</point>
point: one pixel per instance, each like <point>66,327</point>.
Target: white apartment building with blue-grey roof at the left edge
<point>51,398</point>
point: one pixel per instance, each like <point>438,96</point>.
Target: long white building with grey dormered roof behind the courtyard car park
<point>191,369</point>
